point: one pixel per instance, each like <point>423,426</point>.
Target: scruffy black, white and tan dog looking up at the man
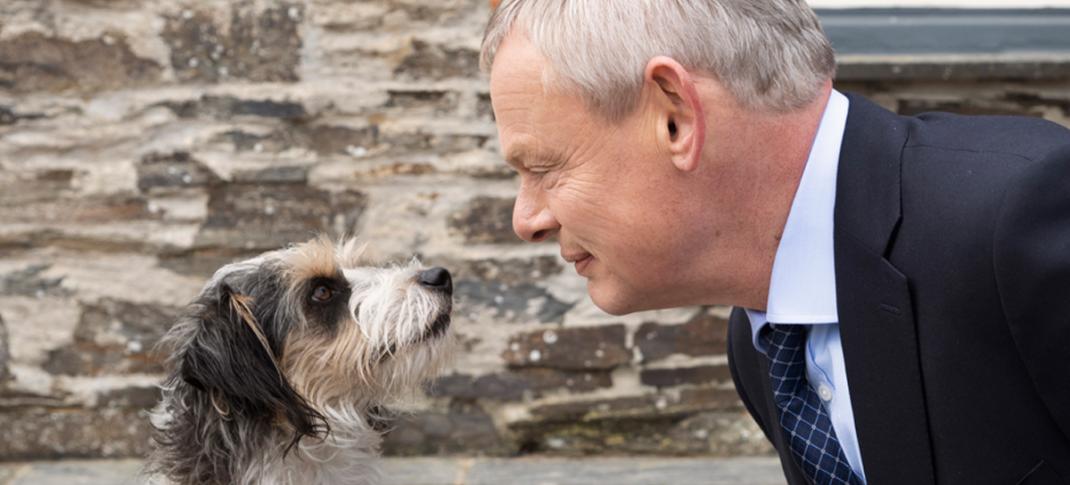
<point>281,368</point>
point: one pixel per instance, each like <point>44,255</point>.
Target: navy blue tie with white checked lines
<point>802,414</point>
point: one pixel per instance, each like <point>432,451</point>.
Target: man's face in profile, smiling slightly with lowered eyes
<point>609,192</point>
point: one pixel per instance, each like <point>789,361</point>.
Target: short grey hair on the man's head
<point>771,55</point>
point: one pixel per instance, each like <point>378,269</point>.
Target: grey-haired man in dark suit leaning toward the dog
<point>903,285</point>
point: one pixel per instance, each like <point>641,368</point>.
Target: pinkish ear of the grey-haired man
<point>681,123</point>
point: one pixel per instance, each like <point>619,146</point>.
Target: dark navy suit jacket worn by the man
<point>953,270</point>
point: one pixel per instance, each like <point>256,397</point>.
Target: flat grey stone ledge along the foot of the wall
<point>461,472</point>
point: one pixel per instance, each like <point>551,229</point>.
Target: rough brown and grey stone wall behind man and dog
<point>146,143</point>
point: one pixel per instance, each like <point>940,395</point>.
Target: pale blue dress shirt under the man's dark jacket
<point>803,285</point>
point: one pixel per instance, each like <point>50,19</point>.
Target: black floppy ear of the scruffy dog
<point>234,361</point>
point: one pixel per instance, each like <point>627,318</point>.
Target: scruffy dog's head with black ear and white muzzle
<point>287,337</point>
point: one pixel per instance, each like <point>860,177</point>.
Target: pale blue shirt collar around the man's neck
<point>803,284</point>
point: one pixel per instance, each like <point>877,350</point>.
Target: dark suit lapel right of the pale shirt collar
<point>877,316</point>
